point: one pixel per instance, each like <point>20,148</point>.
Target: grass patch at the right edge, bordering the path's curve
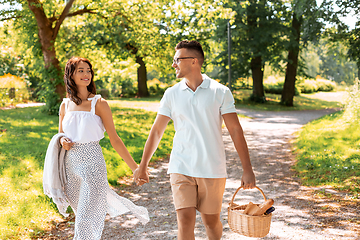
<point>328,153</point>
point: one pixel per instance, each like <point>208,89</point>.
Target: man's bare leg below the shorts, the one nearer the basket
<point>213,225</point>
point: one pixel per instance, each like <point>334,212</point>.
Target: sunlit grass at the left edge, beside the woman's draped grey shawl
<point>25,134</point>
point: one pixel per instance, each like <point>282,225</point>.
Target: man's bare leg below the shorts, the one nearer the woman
<point>186,218</point>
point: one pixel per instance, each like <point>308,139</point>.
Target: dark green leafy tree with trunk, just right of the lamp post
<point>256,39</point>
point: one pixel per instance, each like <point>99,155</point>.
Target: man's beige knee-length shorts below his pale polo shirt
<point>205,194</point>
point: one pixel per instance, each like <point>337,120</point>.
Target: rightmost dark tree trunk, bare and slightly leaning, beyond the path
<point>288,93</point>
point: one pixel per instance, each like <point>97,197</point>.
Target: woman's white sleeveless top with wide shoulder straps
<point>83,126</point>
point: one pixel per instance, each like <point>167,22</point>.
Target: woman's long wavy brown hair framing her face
<point>71,88</point>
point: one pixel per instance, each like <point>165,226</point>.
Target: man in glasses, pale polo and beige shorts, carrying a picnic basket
<point>197,165</point>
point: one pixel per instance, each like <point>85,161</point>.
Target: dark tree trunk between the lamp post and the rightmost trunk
<point>257,75</point>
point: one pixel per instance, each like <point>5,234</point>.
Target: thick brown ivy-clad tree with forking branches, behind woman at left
<point>47,30</point>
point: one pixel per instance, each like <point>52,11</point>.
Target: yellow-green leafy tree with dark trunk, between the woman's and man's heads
<point>133,30</point>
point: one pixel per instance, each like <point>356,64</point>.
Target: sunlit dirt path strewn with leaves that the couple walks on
<point>301,213</point>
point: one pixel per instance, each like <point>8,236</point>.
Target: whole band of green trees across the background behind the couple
<point>129,41</point>
